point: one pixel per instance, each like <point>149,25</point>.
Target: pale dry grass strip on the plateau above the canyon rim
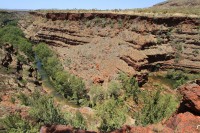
<point>154,11</point>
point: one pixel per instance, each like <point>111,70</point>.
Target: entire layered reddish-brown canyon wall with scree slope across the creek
<point>100,45</point>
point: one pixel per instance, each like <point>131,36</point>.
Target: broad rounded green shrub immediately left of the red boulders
<point>156,108</point>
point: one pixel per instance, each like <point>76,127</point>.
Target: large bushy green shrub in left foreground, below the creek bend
<point>44,111</point>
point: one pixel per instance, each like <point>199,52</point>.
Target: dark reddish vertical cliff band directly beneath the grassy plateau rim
<point>170,21</point>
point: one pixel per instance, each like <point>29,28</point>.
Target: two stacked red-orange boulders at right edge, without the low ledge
<point>187,117</point>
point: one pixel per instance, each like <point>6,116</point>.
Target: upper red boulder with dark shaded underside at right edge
<point>191,98</point>
